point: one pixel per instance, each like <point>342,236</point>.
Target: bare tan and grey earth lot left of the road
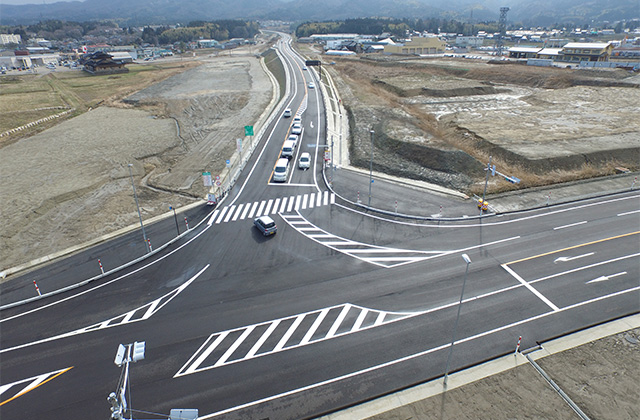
<point>71,183</point>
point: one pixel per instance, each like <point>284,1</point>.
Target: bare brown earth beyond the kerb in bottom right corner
<point>600,377</point>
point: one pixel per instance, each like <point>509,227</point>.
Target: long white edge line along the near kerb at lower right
<point>402,359</point>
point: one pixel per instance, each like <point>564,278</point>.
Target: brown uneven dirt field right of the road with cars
<point>439,120</point>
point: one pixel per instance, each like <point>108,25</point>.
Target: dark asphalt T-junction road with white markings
<point>340,306</point>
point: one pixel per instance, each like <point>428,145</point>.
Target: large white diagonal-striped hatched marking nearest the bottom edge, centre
<point>227,347</point>
